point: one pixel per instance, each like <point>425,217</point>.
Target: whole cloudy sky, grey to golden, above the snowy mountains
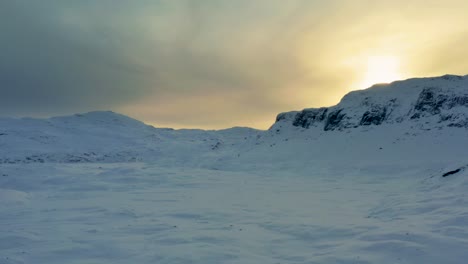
<point>215,64</point>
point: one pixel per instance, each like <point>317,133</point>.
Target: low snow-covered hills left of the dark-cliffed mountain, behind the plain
<point>103,137</point>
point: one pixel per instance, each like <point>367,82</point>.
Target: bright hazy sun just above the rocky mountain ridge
<point>381,69</point>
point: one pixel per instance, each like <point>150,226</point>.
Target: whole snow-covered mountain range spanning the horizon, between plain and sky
<point>386,122</point>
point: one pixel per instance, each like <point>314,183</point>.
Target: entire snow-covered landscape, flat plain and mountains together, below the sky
<point>382,177</point>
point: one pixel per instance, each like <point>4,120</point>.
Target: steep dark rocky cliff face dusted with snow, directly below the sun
<point>425,102</point>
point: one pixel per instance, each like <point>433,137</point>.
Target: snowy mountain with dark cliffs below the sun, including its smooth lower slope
<point>419,123</point>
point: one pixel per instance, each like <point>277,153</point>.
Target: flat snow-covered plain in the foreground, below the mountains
<point>143,213</point>
